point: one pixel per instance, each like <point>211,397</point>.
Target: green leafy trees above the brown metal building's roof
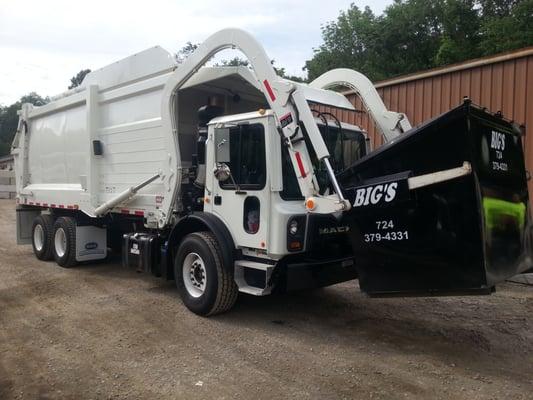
<point>413,35</point>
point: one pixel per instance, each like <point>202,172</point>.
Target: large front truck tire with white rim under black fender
<point>205,286</point>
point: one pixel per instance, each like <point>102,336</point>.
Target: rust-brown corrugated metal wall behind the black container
<point>500,83</point>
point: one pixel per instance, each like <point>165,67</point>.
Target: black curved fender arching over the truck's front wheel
<point>198,222</point>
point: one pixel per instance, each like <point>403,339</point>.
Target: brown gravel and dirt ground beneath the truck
<point>101,331</point>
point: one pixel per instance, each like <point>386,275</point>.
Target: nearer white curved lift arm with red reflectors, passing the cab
<point>286,101</point>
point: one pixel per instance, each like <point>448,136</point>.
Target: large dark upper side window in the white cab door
<point>247,157</point>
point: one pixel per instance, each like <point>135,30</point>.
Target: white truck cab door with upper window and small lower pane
<point>242,201</point>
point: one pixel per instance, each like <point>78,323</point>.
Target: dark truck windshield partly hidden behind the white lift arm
<point>345,147</point>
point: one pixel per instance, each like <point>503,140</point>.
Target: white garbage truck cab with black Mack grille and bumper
<point>253,190</point>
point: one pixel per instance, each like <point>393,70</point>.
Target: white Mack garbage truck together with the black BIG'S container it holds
<point>230,179</point>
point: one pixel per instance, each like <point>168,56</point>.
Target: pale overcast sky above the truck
<point>43,43</point>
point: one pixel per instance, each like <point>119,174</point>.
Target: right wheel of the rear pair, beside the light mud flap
<point>64,242</point>
